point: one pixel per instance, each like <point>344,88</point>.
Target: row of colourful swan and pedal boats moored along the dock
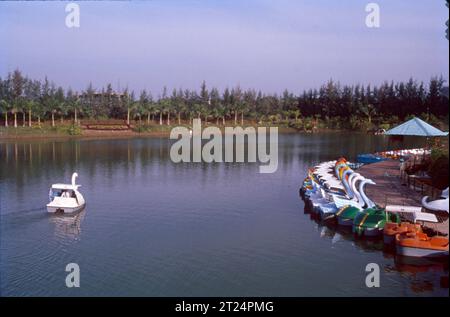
<point>334,191</point>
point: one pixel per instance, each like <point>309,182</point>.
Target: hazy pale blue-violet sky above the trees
<point>262,44</point>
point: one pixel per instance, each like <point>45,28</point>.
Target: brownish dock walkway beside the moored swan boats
<point>392,189</point>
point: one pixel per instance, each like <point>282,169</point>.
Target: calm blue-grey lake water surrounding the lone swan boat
<point>155,228</point>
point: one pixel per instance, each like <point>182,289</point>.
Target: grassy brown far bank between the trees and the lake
<point>118,128</point>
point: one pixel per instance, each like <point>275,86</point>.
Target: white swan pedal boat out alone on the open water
<point>65,198</point>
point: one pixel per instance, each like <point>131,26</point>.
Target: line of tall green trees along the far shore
<point>24,100</point>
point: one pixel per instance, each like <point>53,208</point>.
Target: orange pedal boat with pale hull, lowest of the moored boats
<point>418,244</point>
